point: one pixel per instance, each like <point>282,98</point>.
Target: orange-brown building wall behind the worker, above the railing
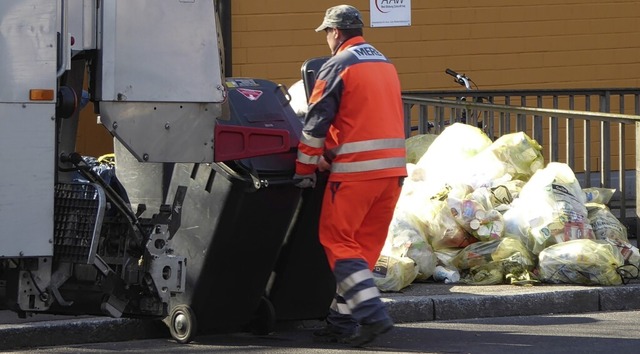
<point>498,44</point>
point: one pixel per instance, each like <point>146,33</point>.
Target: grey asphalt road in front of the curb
<point>601,332</point>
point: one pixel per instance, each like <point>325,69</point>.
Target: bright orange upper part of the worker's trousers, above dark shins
<point>355,218</point>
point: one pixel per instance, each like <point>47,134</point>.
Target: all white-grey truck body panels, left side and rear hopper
<point>159,81</point>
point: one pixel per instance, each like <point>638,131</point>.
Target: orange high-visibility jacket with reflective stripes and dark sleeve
<point>355,117</point>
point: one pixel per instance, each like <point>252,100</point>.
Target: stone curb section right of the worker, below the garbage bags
<point>464,302</point>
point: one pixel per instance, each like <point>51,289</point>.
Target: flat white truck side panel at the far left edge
<point>28,52</point>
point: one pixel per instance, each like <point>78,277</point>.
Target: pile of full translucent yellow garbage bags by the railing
<point>478,211</point>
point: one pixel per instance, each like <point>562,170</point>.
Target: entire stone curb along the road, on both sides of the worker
<point>418,303</point>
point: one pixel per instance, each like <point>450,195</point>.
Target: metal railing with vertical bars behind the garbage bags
<point>591,130</point>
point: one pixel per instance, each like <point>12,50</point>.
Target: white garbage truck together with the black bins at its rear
<point>195,220</point>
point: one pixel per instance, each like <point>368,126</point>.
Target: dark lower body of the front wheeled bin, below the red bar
<point>231,235</point>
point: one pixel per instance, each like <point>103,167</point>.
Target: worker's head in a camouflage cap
<point>341,23</point>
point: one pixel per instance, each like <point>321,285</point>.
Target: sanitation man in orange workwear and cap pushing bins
<point>355,129</point>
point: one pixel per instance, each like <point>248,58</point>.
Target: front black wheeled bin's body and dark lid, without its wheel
<point>231,230</point>
